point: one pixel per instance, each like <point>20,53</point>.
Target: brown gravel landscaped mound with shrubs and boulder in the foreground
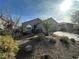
<point>51,47</point>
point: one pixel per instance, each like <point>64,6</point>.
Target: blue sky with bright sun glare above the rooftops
<point>60,10</point>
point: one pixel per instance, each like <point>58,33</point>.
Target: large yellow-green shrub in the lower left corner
<point>8,47</point>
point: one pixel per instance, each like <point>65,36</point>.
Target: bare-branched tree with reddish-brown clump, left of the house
<point>9,21</point>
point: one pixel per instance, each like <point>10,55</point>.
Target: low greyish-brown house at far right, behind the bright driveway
<point>68,27</point>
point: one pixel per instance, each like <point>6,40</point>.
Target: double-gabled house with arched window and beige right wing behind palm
<point>29,25</point>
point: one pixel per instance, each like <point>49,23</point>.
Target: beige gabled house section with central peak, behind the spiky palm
<point>52,25</point>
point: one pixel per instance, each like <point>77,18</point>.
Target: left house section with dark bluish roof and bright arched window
<point>28,25</point>
